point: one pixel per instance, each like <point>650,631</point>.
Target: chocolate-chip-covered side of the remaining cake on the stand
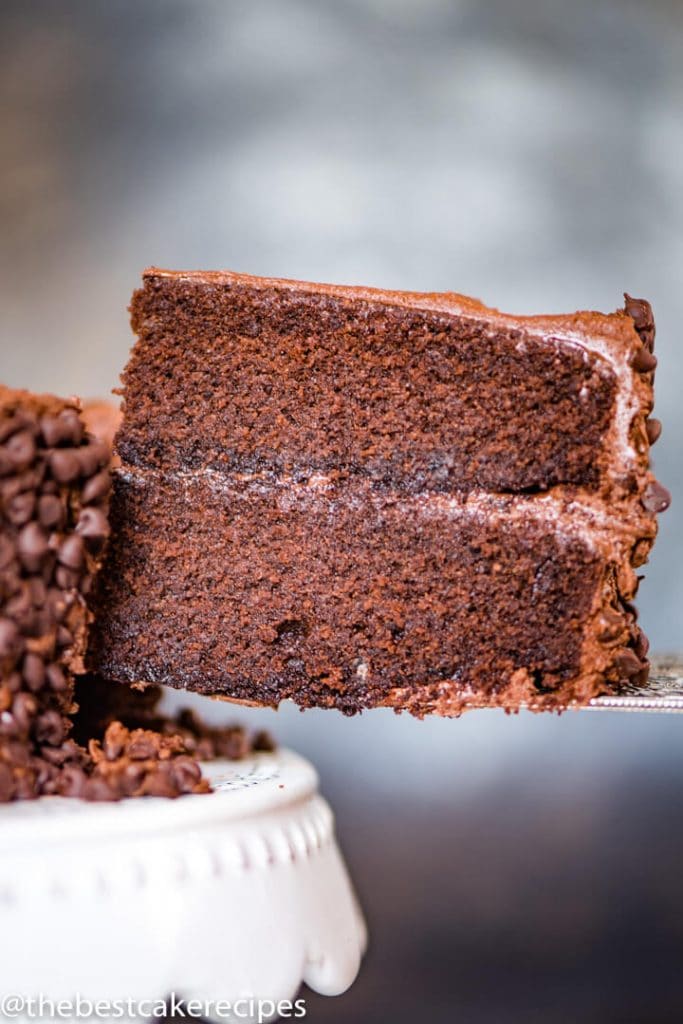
<point>55,488</point>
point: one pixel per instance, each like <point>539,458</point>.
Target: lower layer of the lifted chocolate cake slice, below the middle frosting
<point>334,595</point>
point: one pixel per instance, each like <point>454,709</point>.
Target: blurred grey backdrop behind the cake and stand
<point>528,153</point>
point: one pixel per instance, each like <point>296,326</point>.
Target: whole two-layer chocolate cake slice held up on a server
<point>357,498</point>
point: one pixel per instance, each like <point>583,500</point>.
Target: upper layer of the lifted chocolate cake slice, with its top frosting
<point>419,393</point>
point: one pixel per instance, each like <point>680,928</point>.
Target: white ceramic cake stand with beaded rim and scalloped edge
<point>236,895</point>
